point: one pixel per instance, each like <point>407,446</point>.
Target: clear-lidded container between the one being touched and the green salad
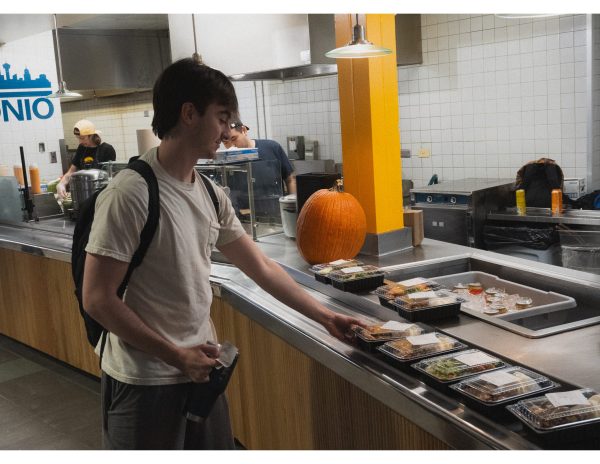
<point>419,346</point>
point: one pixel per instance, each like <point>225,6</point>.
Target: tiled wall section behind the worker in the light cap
<point>117,117</point>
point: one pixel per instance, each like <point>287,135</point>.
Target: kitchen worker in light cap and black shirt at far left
<point>91,151</point>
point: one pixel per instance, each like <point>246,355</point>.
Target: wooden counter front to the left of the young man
<point>40,310</point>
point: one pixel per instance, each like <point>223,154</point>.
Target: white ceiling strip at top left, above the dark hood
<point>17,26</point>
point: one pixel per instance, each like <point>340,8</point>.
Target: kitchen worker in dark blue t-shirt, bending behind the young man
<point>267,150</point>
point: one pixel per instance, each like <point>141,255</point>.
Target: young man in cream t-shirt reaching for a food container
<point>159,334</point>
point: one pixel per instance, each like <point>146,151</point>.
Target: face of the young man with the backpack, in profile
<point>211,128</point>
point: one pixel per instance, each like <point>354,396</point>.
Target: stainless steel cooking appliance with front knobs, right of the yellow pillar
<point>455,211</point>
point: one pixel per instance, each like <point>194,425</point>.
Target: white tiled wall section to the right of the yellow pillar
<point>492,94</point>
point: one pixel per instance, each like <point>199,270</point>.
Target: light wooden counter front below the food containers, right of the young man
<point>282,399</point>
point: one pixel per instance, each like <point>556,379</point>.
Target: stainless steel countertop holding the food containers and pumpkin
<point>570,357</point>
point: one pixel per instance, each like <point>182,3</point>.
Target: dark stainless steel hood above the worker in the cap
<point>106,62</point>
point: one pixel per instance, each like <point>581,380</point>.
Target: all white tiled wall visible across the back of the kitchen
<point>490,95</point>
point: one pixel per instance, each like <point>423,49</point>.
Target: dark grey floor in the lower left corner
<point>45,404</point>
